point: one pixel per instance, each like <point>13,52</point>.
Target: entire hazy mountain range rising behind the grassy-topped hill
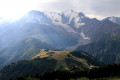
<point>25,38</point>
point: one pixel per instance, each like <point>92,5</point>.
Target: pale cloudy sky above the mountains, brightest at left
<point>92,8</point>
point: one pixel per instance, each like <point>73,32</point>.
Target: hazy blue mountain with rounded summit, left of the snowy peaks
<point>35,24</point>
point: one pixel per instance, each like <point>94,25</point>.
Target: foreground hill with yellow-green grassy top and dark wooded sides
<point>49,60</point>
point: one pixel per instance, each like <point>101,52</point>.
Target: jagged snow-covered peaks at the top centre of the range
<point>69,17</point>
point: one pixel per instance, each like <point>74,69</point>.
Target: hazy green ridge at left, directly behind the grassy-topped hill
<point>22,50</point>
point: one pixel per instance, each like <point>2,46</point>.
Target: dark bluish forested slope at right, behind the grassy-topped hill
<point>106,51</point>
